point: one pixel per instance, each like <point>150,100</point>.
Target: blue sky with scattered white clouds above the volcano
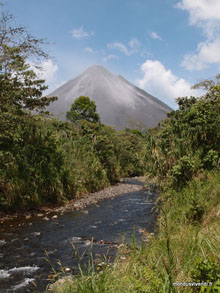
<point>161,46</point>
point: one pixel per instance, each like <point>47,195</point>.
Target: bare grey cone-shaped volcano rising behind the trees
<point>119,103</point>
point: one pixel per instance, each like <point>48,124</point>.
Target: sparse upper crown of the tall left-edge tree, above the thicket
<point>20,87</point>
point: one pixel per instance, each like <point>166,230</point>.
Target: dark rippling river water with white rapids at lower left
<point>30,248</point>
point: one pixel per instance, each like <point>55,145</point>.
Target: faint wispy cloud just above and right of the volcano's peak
<point>132,47</point>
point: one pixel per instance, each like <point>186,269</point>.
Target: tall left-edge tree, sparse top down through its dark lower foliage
<point>20,88</point>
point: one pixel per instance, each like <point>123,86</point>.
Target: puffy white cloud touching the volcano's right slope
<point>162,83</point>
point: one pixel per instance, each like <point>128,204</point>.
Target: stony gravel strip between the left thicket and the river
<point>85,200</point>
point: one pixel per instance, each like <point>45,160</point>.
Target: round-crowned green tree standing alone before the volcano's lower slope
<point>83,109</point>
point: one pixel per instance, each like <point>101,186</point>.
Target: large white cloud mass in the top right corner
<point>204,14</point>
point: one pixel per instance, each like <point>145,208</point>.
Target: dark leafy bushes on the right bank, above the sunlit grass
<point>188,141</point>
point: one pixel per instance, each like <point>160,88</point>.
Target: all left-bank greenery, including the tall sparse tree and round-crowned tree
<point>45,161</point>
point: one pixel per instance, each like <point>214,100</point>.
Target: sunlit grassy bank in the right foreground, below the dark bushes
<point>185,250</point>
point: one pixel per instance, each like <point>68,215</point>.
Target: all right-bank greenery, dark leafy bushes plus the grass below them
<point>182,158</point>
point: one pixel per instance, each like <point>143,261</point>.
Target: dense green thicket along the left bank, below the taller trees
<point>47,161</point>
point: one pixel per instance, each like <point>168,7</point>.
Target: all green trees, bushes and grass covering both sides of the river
<point>43,160</point>
